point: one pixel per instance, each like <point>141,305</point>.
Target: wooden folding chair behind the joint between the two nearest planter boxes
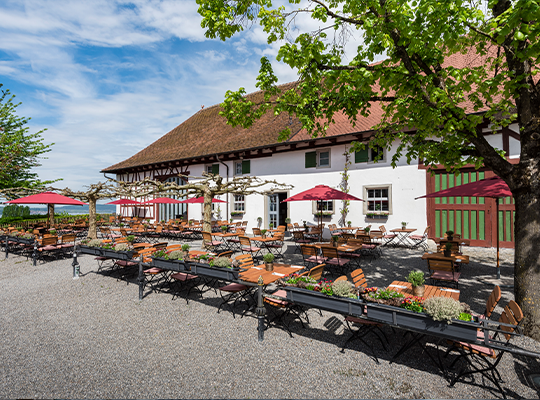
<point>365,326</point>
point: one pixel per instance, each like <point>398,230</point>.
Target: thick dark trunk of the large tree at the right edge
<point>527,258</point>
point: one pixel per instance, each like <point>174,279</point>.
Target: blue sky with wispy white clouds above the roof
<point>106,78</point>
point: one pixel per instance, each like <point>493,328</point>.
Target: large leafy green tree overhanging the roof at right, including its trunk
<point>434,110</point>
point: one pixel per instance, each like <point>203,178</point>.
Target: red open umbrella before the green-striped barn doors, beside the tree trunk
<point>493,187</point>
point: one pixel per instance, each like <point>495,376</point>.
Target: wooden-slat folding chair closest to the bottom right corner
<point>478,357</point>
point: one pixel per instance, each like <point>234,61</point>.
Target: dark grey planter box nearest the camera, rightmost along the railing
<point>421,322</point>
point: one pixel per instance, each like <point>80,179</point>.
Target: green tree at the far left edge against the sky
<point>20,152</point>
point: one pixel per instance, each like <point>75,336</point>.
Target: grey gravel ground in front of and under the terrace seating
<point>92,338</point>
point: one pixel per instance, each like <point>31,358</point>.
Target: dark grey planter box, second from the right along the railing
<point>339,305</point>
